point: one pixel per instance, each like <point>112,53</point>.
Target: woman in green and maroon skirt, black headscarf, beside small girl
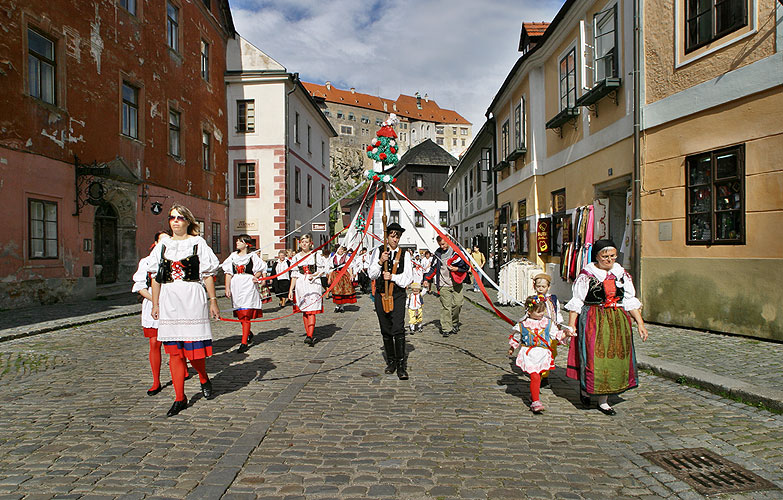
<point>604,302</point>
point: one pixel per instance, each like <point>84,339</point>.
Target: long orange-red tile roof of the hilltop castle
<point>406,107</point>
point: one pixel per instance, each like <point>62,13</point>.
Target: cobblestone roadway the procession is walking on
<point>290,421</point>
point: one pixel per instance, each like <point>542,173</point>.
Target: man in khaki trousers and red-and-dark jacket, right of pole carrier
<point>448,272</point>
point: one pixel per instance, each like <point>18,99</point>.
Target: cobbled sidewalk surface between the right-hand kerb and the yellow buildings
<point>753,361</point>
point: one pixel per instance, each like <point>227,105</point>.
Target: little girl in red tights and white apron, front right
<point>533,336</point>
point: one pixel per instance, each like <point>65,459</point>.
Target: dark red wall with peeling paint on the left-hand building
<point>98,46</point>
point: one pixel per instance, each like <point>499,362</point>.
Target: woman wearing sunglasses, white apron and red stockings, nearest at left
<point>182,304</point>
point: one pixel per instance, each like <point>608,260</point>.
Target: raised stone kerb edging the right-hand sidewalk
<point>703,379</point>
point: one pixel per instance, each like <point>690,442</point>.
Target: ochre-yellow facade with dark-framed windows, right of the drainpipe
<point>712,167</point>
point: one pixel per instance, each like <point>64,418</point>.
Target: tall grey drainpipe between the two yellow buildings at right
<point>637,181</point>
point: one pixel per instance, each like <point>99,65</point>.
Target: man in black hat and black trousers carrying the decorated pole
<point>399,273</point>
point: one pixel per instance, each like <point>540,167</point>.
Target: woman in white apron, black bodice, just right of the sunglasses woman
<point>242,268</point>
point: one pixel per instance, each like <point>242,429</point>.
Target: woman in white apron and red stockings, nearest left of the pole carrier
<point>306,291</point>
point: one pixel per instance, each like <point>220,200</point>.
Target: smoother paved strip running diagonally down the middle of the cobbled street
<point>226,470</point>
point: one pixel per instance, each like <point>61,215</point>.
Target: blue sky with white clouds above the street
<point>457,51</point>
